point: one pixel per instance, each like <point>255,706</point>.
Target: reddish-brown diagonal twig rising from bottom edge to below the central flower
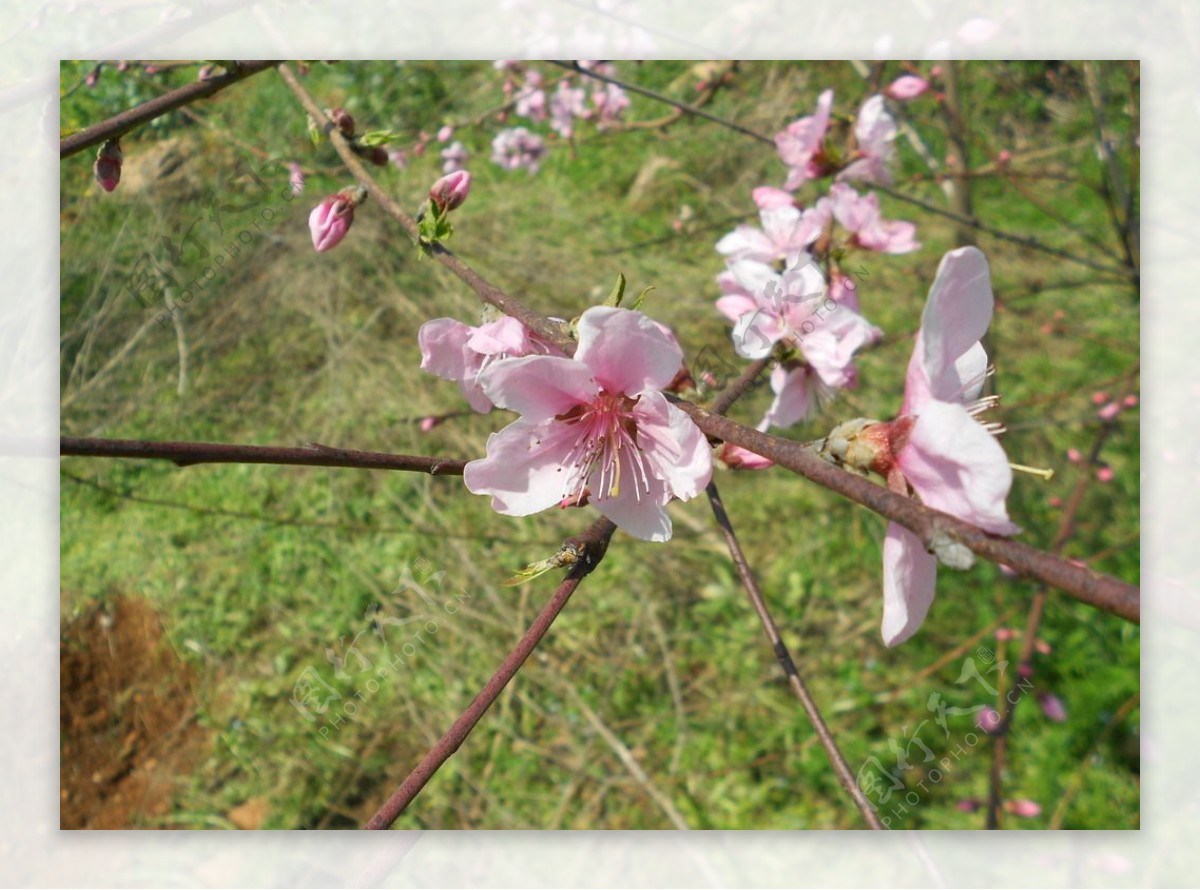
<point>593,545</point>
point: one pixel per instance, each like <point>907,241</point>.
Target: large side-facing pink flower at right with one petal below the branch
<point>941,452</point>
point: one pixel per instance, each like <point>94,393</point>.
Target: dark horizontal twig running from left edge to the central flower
<point>187,454</point>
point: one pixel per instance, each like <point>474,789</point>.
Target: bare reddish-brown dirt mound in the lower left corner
<point>128,719</point>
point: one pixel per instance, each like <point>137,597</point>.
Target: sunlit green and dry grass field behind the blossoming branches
<point>655,699</point>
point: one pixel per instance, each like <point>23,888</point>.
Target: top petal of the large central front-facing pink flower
<point>626,351</point>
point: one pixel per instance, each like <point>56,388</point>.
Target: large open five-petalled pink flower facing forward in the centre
<point>597,424</point>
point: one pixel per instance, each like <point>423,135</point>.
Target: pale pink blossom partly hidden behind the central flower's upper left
<point>461,353</point>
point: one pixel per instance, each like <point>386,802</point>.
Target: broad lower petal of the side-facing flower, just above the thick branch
<point>957,467</point>
